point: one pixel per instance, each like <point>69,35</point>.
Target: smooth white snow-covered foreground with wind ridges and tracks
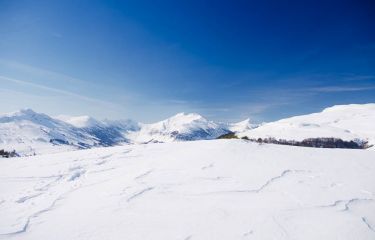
<point>218,189</point>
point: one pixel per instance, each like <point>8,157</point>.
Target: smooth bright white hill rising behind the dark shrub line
<point>348,122</point>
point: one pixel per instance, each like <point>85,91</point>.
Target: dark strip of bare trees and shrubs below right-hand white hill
<point>309,142</point>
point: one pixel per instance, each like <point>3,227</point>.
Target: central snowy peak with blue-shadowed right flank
<point>181,127</point>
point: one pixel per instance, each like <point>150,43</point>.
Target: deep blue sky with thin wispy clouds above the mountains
<point>147,60</point>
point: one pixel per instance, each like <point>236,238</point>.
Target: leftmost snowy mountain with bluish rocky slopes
<point>29,132</point>
